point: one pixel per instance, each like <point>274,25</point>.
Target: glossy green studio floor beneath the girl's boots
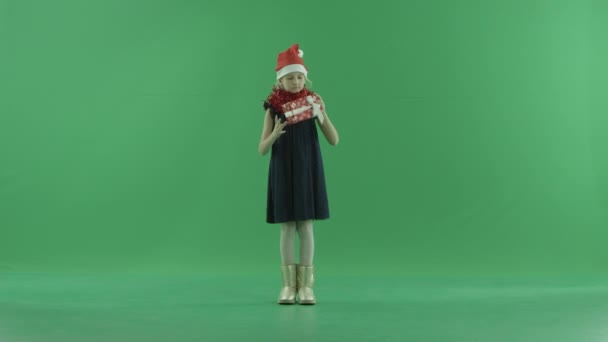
<point>71,307</point>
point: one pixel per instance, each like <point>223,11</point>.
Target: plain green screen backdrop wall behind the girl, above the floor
<point>473,135</point>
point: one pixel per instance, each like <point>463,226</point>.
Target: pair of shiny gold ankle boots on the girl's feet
<point>297,279</point>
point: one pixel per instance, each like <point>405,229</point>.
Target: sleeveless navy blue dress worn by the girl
<point>296,179</point>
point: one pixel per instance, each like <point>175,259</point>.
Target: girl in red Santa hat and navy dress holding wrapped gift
<point>296,181</point>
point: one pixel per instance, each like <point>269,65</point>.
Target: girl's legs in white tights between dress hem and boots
<point>307,242</point>
